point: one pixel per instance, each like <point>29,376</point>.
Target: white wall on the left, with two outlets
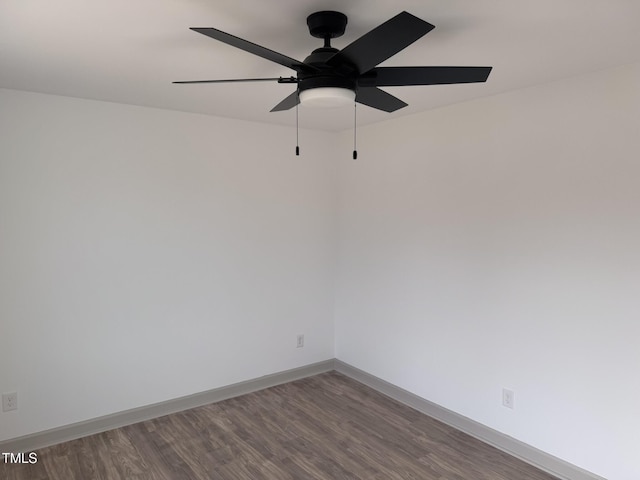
<point>148,254</point>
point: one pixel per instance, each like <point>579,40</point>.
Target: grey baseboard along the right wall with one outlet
<point>548,463</point>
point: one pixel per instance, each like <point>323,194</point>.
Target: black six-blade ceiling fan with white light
<point>331,77</point>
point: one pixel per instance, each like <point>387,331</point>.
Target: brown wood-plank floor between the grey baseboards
<point>323,427</point>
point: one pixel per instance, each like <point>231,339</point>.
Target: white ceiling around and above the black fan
<point>129,51</point>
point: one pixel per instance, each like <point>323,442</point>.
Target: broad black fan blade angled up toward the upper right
<point>381,43</point>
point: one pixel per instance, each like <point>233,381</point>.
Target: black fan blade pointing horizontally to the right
<point>400,76</point>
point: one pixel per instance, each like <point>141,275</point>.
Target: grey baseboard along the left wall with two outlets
<point>66,433</point>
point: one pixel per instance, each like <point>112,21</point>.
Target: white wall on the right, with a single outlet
<point>497,243</point>
